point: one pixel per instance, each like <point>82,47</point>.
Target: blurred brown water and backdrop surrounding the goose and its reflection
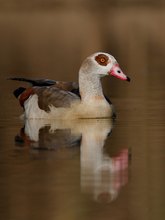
<point>50,39</point>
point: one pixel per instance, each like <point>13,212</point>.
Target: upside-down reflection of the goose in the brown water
<point>102,176</point>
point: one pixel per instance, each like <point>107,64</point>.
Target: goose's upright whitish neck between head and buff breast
<point>90,86</point>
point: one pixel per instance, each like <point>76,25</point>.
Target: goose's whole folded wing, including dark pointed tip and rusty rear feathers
<point>49,92</point>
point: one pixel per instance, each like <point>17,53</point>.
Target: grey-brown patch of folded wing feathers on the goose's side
<point>53,96</point>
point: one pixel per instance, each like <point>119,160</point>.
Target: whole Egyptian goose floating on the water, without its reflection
<point>51,99</point>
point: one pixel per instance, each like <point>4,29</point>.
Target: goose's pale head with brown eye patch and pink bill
<point>102,64</point>
